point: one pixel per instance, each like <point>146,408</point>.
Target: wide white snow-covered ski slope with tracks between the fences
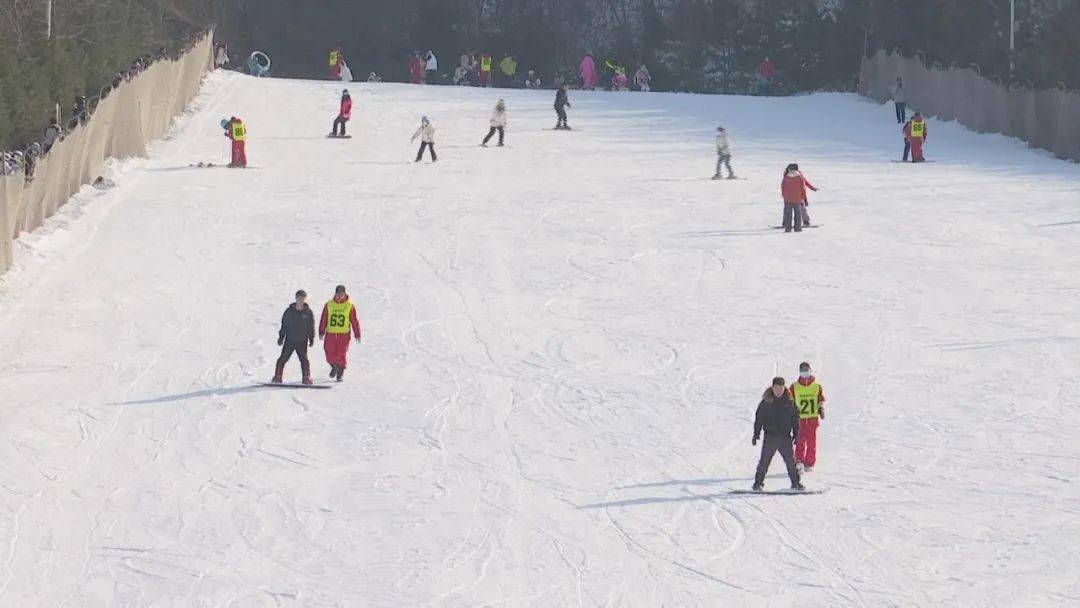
<point>565,344</point>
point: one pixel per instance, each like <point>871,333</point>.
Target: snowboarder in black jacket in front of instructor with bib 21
<point>780,421</point>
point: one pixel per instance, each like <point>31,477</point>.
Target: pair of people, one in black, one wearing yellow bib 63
<point>298,334</point>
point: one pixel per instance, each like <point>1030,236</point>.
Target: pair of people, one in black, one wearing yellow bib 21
<point>790,417</point>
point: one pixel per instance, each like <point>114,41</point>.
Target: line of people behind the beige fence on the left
<point>25,161</point>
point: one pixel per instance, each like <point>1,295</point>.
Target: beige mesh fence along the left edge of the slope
<point>121,127</point>
